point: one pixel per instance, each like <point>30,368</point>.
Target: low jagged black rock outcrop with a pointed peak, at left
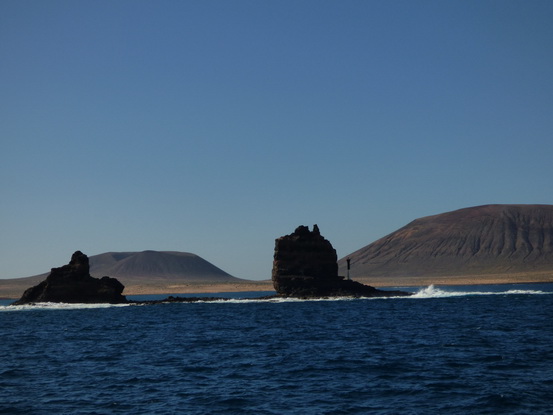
<point>72,283</point>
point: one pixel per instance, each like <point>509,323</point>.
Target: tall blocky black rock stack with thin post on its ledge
<point>305,265</point>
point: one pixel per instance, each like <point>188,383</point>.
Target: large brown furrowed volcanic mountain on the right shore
<point>485,240</point>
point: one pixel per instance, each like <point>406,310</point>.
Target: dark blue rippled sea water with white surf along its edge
<point>463,350</point>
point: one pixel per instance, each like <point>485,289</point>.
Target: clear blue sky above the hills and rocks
<point>214,127</point>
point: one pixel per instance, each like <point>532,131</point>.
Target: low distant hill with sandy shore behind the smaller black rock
<point>150,272</point>
